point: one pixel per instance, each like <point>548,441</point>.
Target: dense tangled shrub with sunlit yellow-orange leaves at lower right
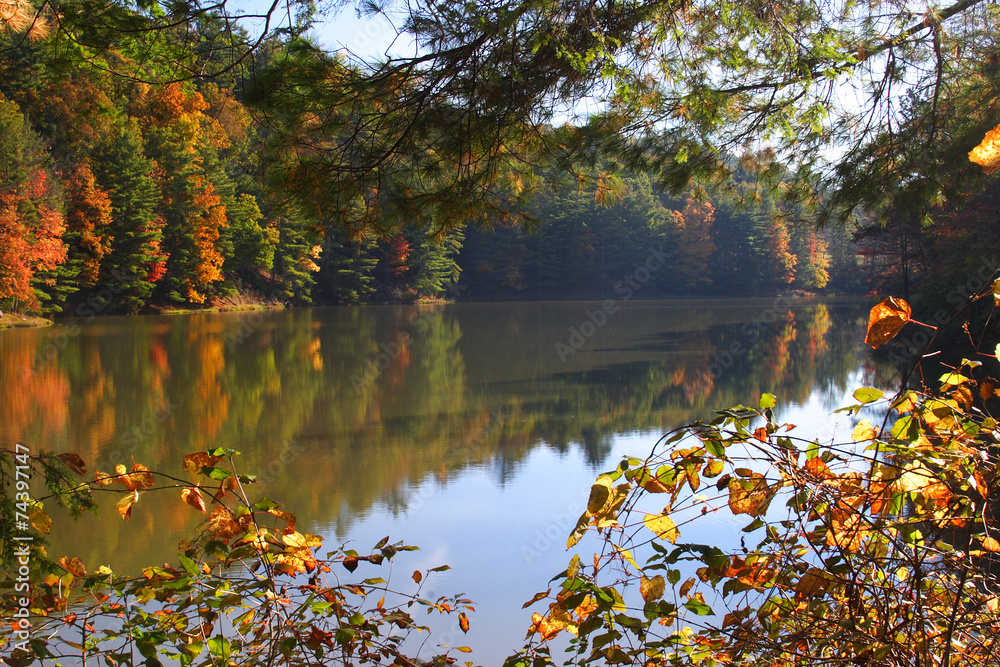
<point>879,551</point>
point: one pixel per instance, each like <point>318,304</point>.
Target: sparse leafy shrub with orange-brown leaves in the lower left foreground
<point>248,589</point>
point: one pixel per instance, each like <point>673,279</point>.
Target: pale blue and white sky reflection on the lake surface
<point>505,541</point>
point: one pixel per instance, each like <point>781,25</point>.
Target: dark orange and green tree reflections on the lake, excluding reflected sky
<point>344,412</point>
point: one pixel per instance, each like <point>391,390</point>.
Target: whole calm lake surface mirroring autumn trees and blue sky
<point>471,430</point>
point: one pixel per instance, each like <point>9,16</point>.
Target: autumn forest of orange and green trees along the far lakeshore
<point>121,196</point>
